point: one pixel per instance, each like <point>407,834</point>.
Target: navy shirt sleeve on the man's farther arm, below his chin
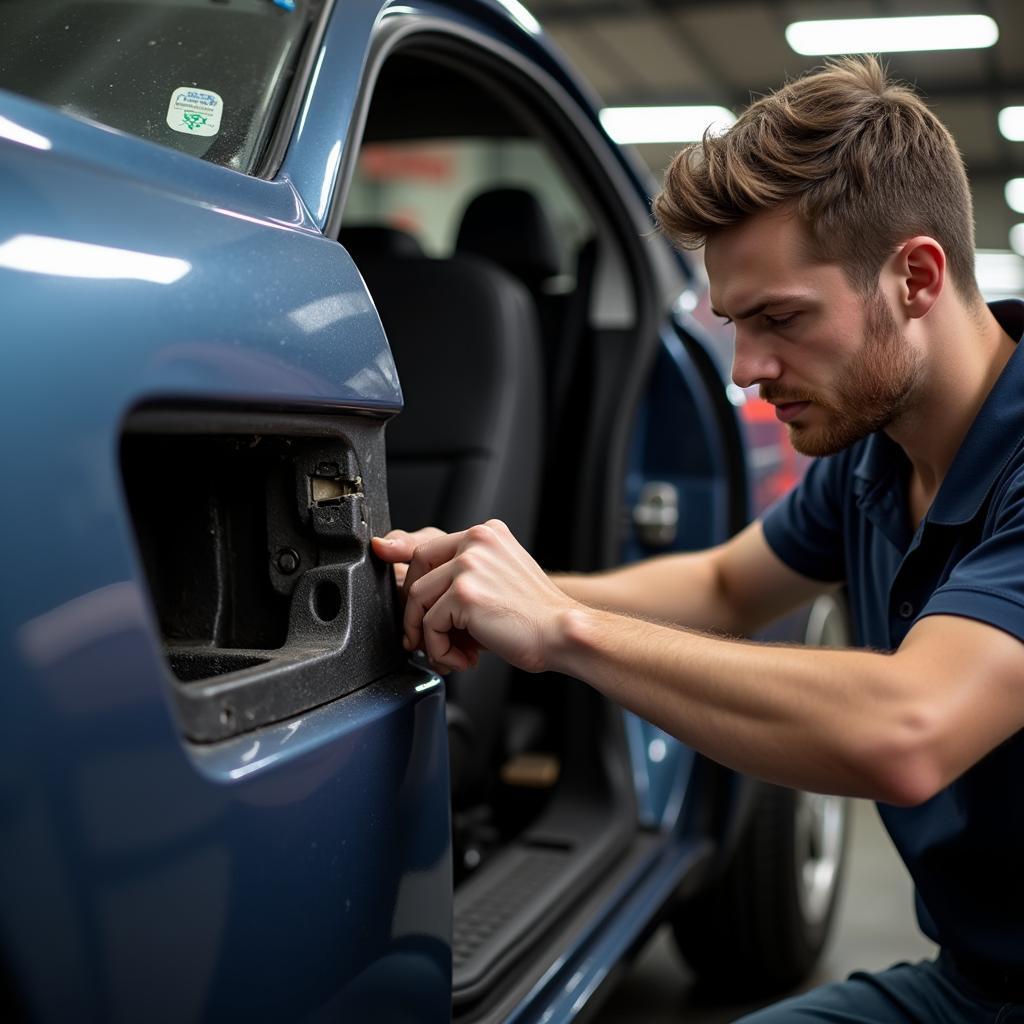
<point>805,527</point>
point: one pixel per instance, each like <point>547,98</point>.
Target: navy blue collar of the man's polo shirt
<point>992,440</point>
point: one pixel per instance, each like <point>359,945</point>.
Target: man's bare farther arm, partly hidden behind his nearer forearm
<point>736,588</point>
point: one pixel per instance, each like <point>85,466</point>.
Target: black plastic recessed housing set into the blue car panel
<point>339,630</point>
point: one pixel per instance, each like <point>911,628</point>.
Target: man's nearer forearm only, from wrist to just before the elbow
<point>830,721</point>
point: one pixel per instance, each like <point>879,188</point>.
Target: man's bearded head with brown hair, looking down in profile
<point>834,214</point>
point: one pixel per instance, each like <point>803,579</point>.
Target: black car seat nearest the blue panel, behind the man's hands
<point>468,446</point>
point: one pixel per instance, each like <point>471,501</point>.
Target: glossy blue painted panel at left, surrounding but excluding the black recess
<point>294,873</point>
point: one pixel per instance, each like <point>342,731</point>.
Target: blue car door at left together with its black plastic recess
<point>224,791</point>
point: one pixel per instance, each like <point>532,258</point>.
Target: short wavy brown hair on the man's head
<point>867,164</point>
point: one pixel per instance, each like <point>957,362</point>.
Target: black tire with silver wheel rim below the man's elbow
<point>761,928</point>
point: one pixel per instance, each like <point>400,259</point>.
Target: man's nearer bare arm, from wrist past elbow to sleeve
<point>891,728</point>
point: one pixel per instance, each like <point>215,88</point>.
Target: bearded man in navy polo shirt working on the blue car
<point>839,240</point>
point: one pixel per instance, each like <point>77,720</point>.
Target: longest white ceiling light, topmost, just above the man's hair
<point>889,35</point>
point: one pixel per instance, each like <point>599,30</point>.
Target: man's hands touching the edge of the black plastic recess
<point>478,590</point>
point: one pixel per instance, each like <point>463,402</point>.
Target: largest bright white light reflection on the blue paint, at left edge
<point>64,259</point>
